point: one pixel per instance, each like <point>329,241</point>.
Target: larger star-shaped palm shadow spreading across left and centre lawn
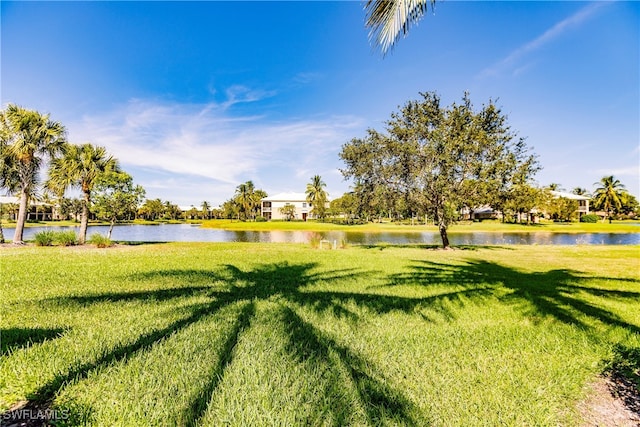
<point>227,285</point>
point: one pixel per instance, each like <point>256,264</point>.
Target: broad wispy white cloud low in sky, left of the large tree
<point>188,142</point>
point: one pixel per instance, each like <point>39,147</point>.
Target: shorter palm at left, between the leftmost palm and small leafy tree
<point>80,166</point>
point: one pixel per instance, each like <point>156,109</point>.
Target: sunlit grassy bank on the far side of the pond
<point>465,227</point>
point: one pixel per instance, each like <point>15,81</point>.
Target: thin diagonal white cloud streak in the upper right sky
<point>513,61</point>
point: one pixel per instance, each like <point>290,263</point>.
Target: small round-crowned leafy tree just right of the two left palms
<point>116,197</point>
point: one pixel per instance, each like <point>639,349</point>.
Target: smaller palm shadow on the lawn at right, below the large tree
<point>553,293</point>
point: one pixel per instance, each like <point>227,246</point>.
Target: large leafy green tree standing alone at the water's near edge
<point>444,158</point>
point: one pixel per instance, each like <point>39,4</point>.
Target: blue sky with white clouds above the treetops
<point>195,98</point>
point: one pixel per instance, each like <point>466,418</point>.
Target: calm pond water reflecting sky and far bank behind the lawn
<point>193,233</point>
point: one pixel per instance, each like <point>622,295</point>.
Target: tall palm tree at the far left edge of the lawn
<point>28,139</point>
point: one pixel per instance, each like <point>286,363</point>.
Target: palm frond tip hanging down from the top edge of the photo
<point>387,19</point>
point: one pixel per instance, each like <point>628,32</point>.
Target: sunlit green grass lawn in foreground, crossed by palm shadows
<point>282,334</point>
